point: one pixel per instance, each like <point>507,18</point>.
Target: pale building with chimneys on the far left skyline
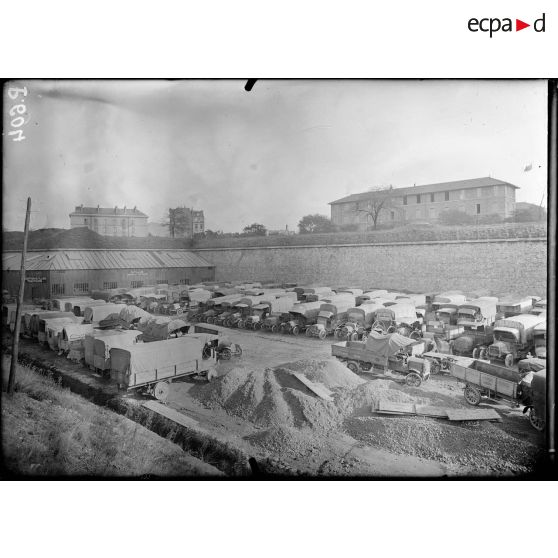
<point>110,221</point>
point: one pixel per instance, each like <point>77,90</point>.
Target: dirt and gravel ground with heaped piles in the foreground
<point>345,437</point>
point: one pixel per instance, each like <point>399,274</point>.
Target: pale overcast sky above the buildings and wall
<point>271,155</point>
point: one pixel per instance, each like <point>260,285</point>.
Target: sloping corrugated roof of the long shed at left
<point>102,259</point>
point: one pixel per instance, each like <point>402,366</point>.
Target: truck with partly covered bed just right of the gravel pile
<point>392,352</point>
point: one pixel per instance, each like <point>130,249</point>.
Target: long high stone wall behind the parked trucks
<point>495,266</point>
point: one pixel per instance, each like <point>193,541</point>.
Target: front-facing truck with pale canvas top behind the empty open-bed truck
<point>514,338</point>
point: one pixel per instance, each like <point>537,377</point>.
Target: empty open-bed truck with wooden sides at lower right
<point>485,380</point>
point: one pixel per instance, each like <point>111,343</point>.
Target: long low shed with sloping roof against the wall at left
<point>69,272</point>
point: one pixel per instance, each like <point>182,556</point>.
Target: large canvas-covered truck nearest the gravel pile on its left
<point>150,368</point>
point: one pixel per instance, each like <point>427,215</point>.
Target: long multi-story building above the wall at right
<point>476,196</point>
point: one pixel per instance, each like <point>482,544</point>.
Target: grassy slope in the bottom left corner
<point>47,430</point>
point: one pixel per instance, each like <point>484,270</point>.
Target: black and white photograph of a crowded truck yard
<point>275,279</point>
